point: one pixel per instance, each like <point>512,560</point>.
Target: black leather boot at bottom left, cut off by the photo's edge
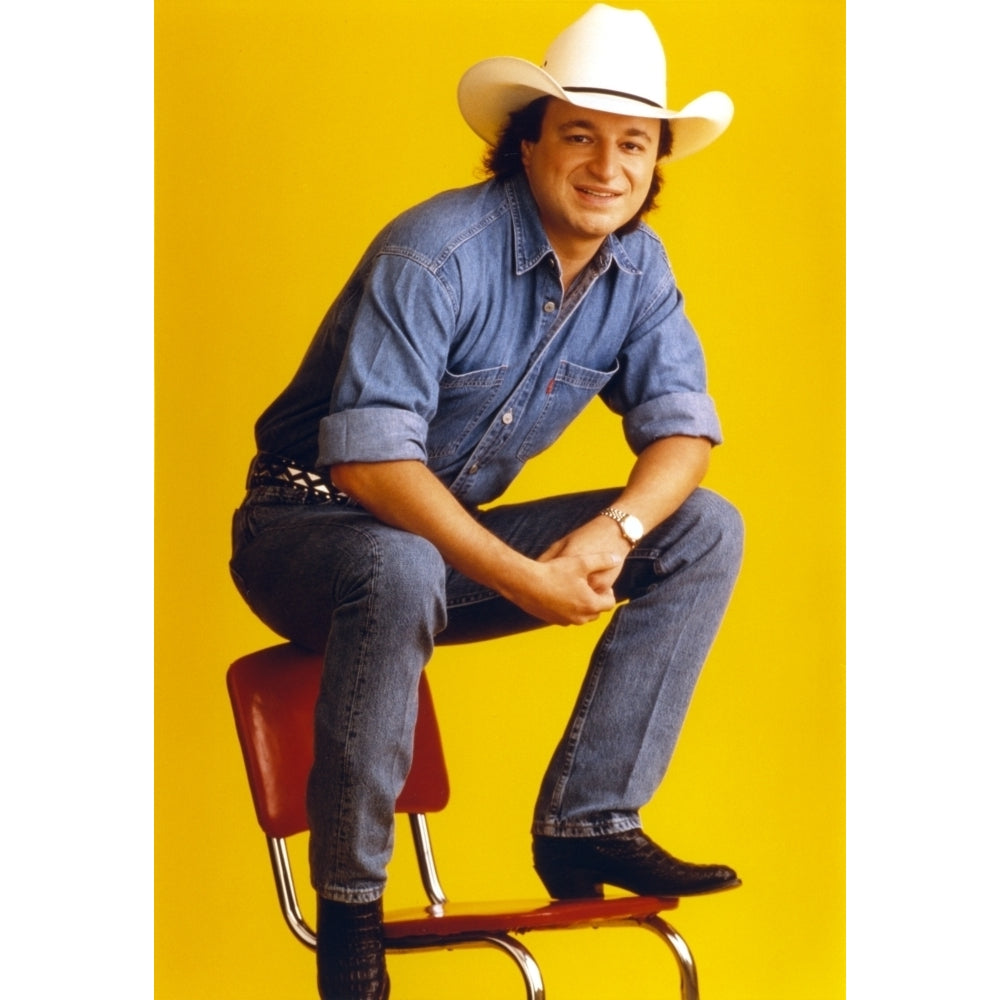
<point>350,951</point>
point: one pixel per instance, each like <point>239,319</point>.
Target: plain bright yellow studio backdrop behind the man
<point>287,133</point>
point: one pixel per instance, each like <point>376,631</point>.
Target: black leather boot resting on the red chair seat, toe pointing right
<point>579,868</point>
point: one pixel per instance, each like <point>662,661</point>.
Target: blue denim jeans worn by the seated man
<point>376,600</point>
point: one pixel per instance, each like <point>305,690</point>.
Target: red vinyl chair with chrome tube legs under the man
<point>273,693</point>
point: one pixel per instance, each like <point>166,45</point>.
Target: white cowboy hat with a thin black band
<point>608,60</point>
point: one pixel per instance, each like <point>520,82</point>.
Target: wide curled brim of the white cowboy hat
<point>493,88</point>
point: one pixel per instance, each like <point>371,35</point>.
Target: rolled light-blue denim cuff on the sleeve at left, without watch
<point>371,435</point>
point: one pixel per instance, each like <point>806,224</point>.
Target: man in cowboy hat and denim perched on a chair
<point>472,332</point>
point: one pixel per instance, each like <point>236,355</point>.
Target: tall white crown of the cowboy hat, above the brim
<point>610,51</point>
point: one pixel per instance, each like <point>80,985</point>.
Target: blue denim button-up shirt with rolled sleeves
<point>453,344</point>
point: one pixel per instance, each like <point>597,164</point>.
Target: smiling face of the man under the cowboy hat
<point>589,172</point>
